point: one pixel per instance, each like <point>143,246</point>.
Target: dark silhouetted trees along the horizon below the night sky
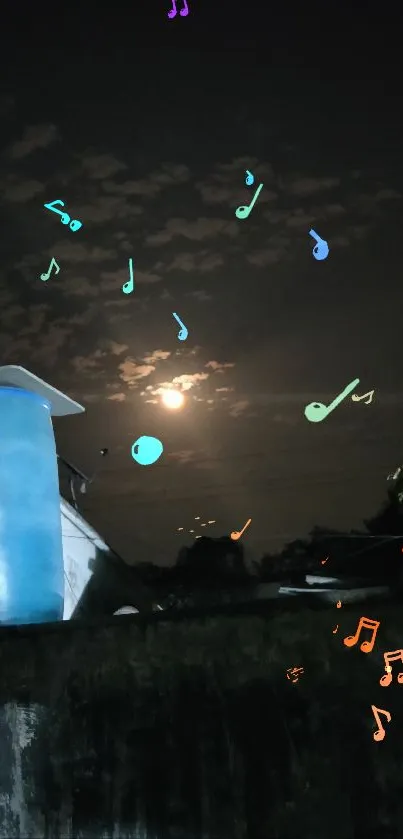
<point>214,570</point>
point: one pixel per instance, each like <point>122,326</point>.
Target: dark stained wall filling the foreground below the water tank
<point>168,727</point>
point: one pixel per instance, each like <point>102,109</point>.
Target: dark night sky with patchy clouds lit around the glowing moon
<point>144,127</point>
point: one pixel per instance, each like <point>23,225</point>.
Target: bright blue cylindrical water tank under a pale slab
<point>31,551</point>
